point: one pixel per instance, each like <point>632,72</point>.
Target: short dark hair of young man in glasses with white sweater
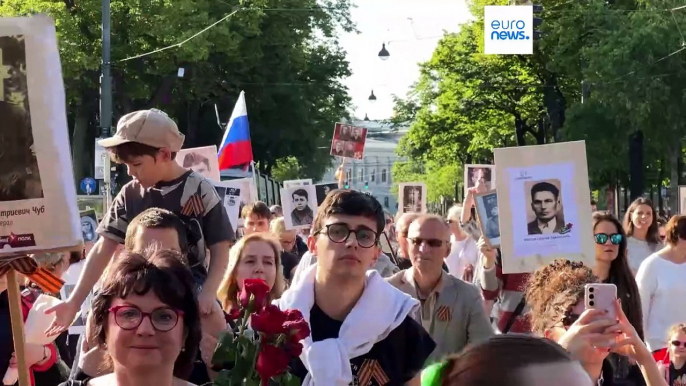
<point>351,203</point>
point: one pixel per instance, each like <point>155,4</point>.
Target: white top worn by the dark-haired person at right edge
<point>661,301</point>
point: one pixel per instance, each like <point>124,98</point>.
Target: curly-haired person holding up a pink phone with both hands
<point>556,296</point>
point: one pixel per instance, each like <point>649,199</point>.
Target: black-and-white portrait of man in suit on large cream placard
<point>545,215</point>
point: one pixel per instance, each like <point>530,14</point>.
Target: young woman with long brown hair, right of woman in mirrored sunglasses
<point>640,225</point>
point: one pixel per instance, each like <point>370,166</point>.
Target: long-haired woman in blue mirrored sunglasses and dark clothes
<point>611,266</point>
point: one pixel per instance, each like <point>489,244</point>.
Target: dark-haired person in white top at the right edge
<point>662,284</point>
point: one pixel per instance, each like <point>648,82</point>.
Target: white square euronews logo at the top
<point>508,30</point>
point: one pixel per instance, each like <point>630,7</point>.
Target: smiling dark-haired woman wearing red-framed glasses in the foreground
<point>146,318</point>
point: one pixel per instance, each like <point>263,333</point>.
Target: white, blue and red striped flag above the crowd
<point>235,148</point>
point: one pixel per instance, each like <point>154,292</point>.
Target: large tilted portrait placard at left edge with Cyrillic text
<point>38,209</point>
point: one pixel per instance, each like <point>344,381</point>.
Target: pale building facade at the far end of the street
<point>373,172</point>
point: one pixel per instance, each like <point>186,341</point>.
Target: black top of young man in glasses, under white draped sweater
<point>391,362</point>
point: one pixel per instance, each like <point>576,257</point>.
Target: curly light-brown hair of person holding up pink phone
<point>553,290</point>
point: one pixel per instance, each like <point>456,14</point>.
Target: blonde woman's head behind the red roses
<point>256,256</point>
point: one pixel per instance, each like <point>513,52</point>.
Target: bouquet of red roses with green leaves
<point>259,355</point>
